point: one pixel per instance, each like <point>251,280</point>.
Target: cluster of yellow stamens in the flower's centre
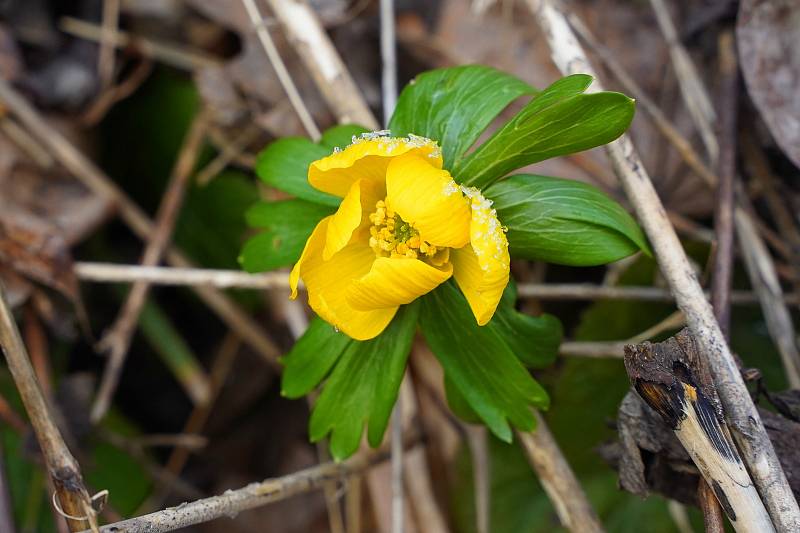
<point>391,236</point>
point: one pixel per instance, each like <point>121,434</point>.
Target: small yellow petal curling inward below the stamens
<point>395,281</point>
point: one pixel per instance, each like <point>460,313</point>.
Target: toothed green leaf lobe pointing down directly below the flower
<point>363,387</point>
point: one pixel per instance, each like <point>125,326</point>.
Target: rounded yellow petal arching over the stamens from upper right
<point>428,199</point>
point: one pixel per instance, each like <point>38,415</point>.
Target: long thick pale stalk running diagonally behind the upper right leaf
<point>745,421</point>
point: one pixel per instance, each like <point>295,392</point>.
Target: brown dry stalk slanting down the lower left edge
<point>64,470</point>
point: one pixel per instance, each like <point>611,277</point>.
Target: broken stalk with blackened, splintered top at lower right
<point>671,377</point>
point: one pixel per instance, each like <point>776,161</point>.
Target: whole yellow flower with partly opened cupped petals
<point>403,228</point>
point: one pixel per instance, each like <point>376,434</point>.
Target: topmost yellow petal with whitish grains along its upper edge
<point>367,159</point>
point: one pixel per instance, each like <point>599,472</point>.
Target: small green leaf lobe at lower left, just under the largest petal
<point>311,358</point>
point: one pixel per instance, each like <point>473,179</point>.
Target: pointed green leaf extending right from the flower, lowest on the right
<point>564,221</point>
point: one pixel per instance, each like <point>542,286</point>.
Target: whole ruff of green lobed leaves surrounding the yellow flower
<point>551,219</point>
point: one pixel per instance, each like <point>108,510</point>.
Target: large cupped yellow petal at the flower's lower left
<point>327,283</point>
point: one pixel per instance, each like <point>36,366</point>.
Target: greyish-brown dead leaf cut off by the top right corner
<point>768,34</point>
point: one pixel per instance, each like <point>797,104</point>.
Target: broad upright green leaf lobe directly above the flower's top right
<point>454,105</point>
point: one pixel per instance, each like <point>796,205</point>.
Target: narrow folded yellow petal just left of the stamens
<point>353,213</point>
